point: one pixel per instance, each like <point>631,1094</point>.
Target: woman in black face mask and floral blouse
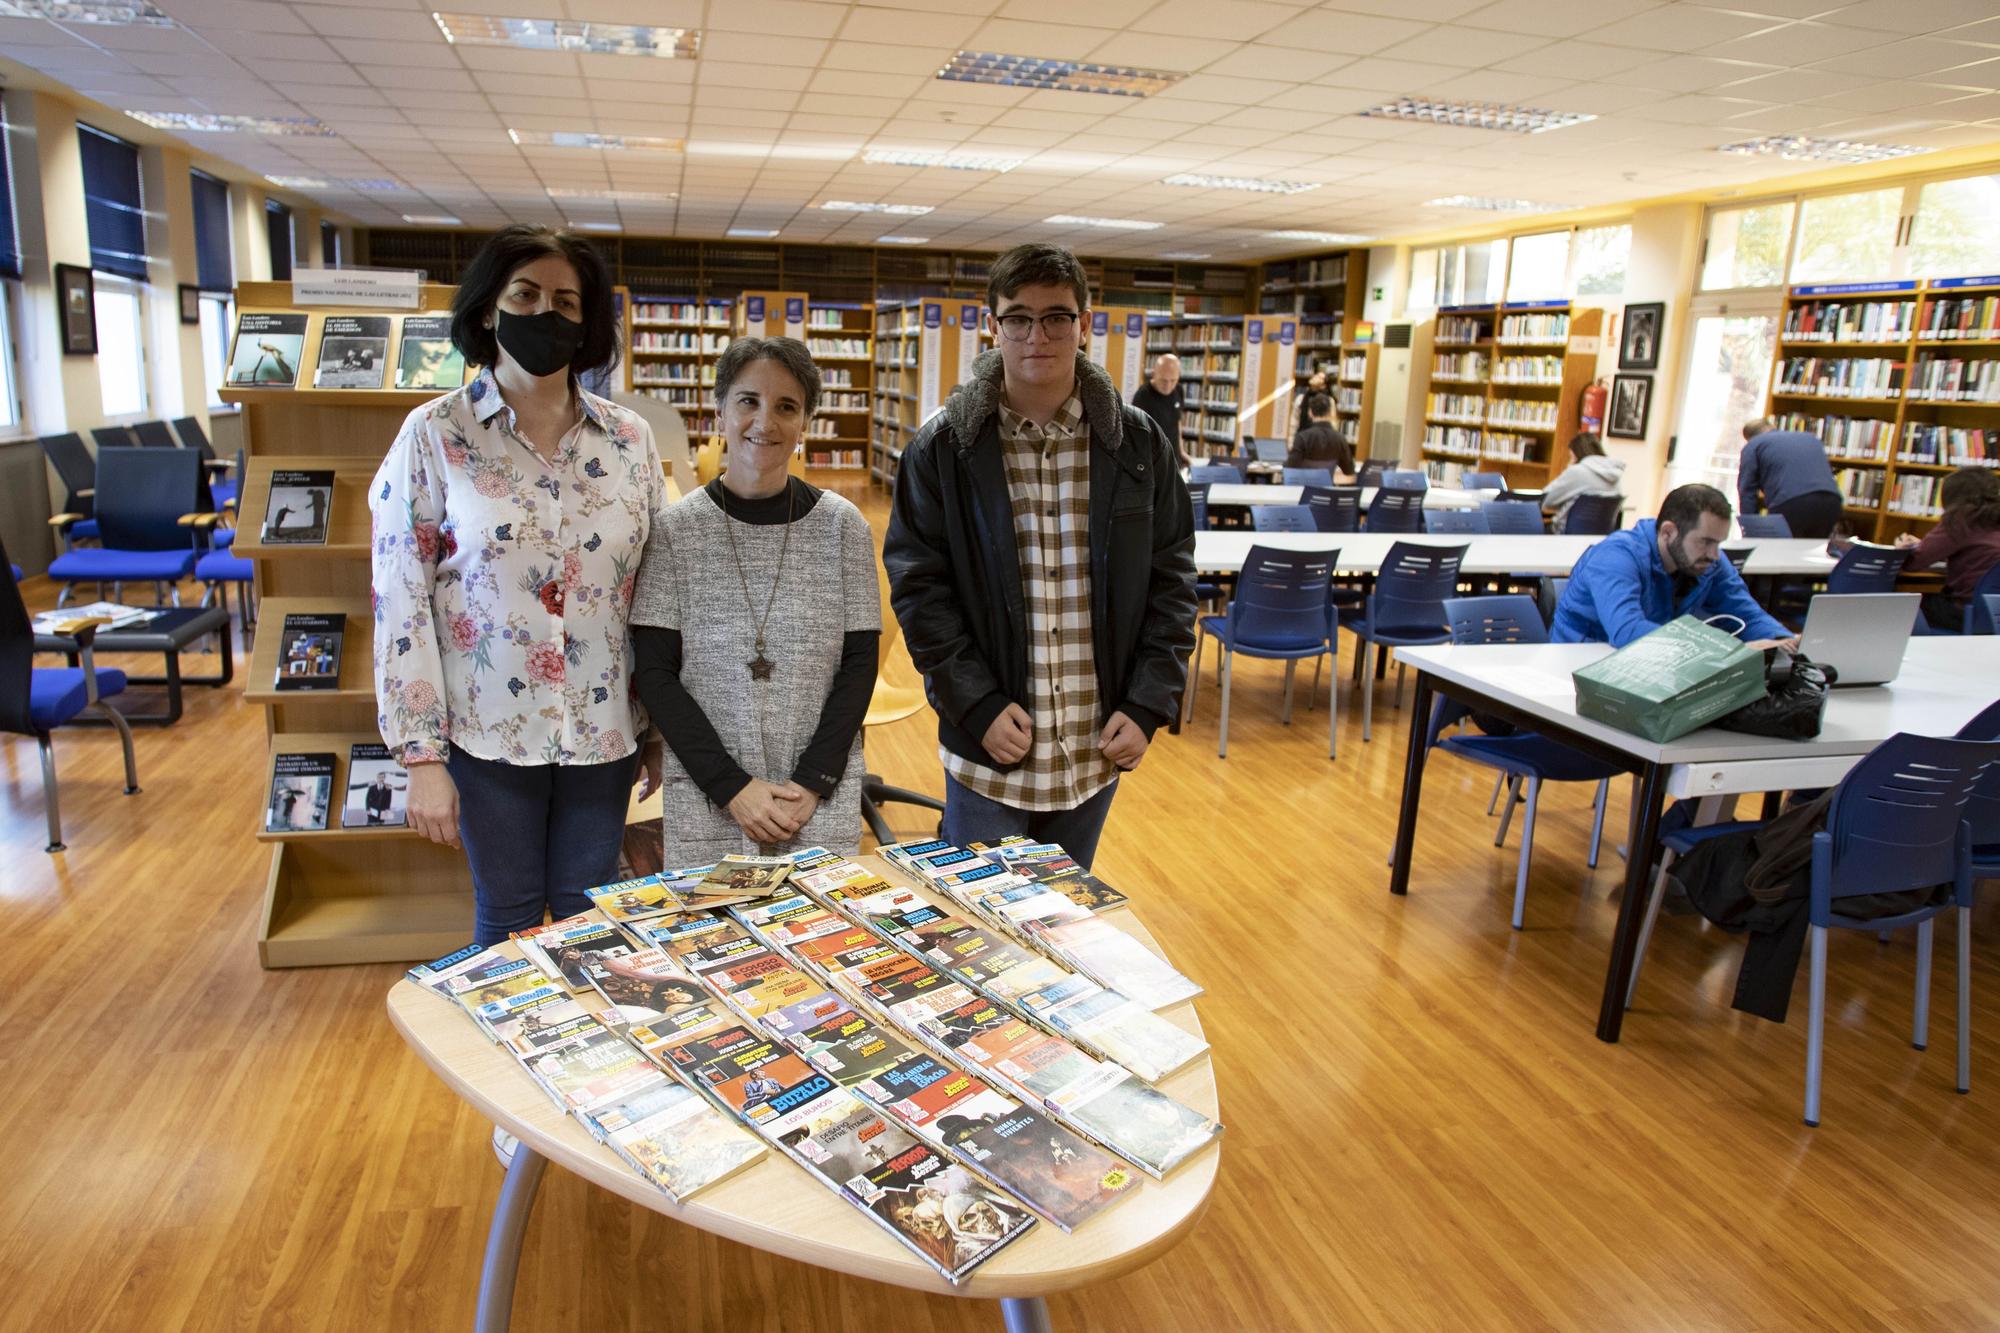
<point>509,525</point>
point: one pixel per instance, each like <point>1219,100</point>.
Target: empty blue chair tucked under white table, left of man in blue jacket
<point>1523,758</point>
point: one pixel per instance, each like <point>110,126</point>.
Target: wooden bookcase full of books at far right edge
<point>1901,381</point>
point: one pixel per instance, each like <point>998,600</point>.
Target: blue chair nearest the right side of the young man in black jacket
<point>1279,613</point>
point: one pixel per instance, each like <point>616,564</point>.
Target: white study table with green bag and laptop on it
<point>1945,682</point>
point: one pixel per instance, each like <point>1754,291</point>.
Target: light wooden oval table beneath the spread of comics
<point>777,1206</point>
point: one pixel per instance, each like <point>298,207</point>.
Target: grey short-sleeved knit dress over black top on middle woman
<point>827,587</point>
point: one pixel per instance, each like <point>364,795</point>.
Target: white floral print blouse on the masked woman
<point>503,581</point>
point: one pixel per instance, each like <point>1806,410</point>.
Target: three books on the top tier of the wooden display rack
<point>355,351</point>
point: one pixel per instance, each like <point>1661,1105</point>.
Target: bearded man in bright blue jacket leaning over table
<point>1659,569</point>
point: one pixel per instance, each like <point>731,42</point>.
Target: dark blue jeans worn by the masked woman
<point>537,838</point>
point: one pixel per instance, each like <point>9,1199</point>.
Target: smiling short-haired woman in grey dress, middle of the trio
<point>755,623</point>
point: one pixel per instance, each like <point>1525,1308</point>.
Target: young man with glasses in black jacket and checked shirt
<point>1041,563</point>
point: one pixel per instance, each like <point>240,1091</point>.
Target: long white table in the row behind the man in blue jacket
<point>1363,553</point>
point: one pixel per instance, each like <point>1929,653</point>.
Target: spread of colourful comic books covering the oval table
<point>939,1060</point>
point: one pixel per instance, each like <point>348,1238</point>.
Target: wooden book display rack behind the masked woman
<point>343,896</point>
